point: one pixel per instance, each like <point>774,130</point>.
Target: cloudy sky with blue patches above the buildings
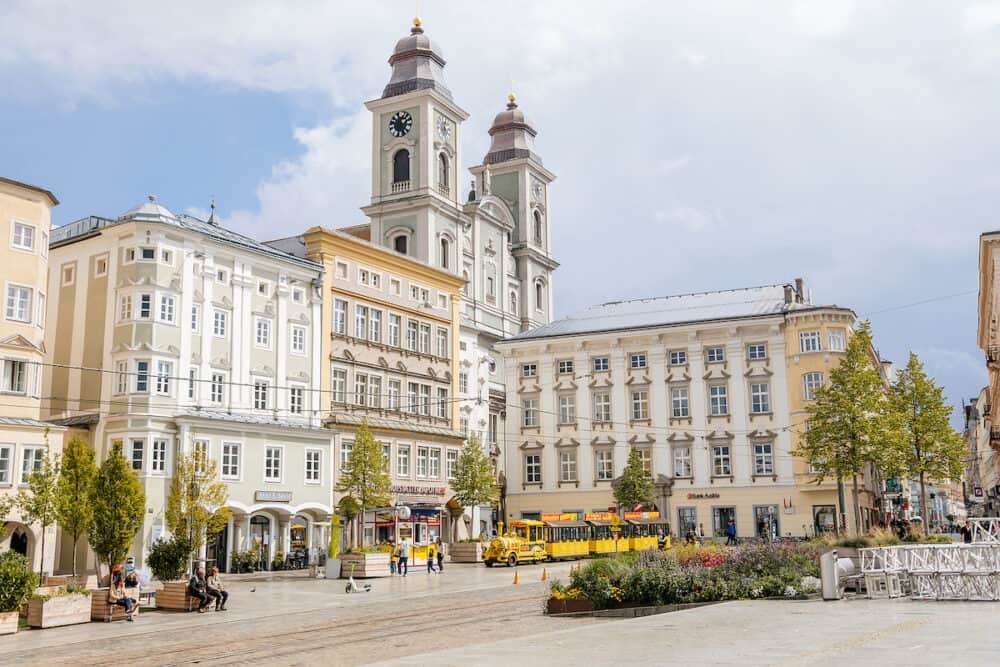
<point>698,146</point>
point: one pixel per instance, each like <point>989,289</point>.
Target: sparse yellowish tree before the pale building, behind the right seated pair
<point>196,505</point>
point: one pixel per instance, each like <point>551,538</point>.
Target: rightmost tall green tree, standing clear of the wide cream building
<point>930,449</point>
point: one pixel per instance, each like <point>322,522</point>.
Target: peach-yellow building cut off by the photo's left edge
<point>25,219</point>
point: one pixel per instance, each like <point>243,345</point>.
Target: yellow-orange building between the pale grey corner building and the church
<point>390,348</point>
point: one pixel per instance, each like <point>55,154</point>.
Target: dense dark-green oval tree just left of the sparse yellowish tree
<point>119,504</point>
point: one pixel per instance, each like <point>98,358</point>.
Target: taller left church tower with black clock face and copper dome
<point>416,128</point>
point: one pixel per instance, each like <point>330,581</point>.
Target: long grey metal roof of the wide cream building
<point>667,311</point>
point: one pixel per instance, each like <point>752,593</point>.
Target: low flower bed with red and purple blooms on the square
<point>694,574</point>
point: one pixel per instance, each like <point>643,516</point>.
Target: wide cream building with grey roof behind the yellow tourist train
<point>710,388</point>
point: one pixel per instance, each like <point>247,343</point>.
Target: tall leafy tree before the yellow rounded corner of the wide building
<point>850,424</point>
